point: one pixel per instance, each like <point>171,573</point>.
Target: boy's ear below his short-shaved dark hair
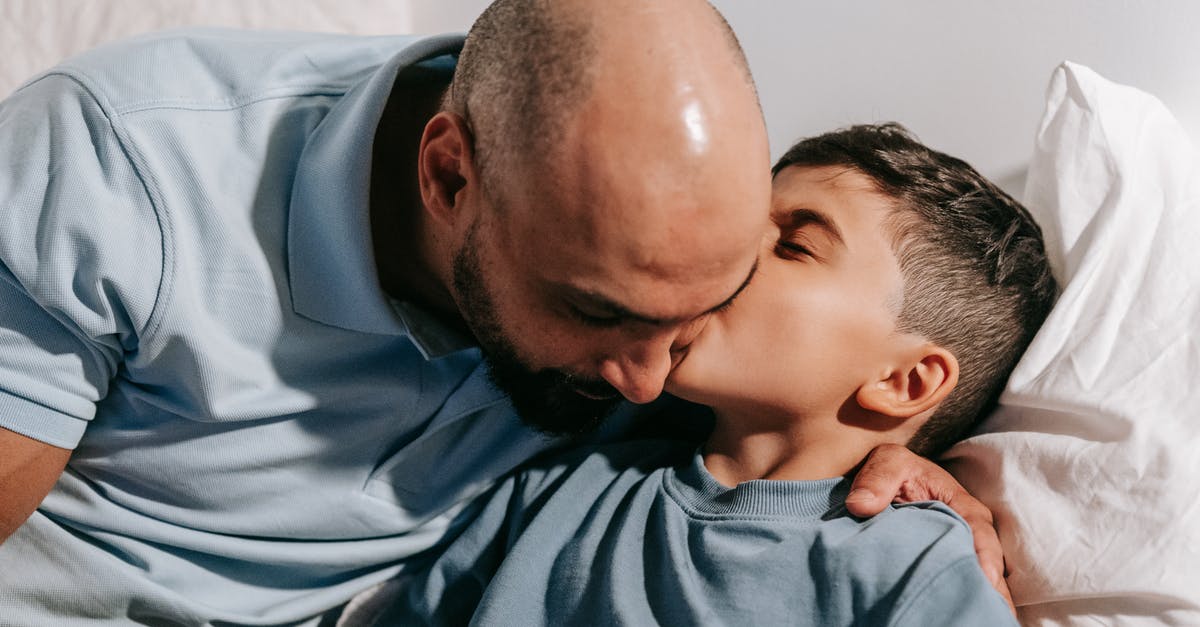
<point>913,387</point>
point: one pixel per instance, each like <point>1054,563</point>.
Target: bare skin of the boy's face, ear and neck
<point>808,372</point>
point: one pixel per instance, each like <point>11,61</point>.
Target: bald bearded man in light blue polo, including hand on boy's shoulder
<point>274,303</point>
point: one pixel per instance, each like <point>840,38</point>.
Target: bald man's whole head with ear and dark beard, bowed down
<point>599,181</point>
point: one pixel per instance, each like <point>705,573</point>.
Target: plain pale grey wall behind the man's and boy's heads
<point>968,76</point>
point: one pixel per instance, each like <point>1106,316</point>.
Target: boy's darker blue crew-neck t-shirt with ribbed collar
<point>641,534</point>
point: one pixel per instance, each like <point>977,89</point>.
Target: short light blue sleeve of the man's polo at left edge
<point>81,258</point>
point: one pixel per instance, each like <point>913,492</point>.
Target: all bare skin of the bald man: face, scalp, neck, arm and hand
<point>610,253</point>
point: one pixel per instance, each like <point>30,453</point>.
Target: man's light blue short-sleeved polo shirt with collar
<point>189,298</point>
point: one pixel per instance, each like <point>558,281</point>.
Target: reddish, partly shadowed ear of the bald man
<point>446,165</point>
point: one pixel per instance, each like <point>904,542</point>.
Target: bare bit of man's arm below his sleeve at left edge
<point>28,471</point>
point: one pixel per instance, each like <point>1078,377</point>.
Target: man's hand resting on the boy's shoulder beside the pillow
<point>893,474</point>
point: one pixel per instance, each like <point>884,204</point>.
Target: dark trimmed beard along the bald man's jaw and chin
<point>545,399</point>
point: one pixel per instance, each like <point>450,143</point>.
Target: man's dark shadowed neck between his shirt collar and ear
<point>410,264</point>
